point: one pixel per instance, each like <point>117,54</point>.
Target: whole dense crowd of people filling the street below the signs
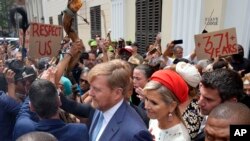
<point>113,93</point>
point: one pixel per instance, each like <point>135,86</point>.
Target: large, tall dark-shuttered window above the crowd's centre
<point>148,22</point>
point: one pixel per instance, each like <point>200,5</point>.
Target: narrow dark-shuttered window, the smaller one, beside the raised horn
<point>95,19</point>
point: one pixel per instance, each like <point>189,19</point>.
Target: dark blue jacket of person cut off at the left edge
<point>9,109</point>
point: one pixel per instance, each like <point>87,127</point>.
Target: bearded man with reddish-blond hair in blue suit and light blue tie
<point>109,84</point>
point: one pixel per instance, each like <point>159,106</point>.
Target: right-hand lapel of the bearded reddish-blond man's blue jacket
<point>114,124</point>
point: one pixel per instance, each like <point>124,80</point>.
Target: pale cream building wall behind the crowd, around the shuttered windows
<point>181,19</point>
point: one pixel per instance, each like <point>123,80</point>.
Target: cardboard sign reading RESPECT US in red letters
<point>44,40</point>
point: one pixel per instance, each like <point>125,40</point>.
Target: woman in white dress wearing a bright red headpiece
<point>163,93</point>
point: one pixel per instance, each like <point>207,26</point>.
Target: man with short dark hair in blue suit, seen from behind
<point>45,102</point>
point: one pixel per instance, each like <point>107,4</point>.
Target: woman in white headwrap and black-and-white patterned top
<point>189,109</point>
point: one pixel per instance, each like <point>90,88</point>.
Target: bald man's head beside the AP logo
<point>224,115</point>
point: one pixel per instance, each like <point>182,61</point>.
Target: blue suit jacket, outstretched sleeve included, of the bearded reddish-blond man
<point>125,125</point>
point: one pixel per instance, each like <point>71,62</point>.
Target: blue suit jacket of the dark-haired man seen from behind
<point>27,122</point>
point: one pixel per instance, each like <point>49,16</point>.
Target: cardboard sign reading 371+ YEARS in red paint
<point>215,44</point>
